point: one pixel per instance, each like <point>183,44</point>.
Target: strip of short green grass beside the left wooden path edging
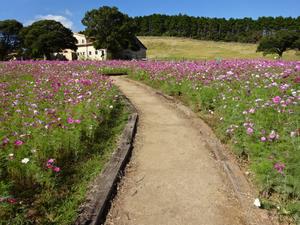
<point>86,171</point>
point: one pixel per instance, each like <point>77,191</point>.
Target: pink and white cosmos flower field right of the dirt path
<point>254,107</point>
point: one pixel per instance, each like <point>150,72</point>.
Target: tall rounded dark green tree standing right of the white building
<point>109,28</point>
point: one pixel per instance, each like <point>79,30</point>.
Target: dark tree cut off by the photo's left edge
<point>9,37</point>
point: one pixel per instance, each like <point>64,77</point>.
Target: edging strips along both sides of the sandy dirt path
<point>103,189</point>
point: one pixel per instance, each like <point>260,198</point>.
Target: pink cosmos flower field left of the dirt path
<point>57,121</point>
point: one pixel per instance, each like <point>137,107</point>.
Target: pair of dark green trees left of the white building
<point>38,40</point>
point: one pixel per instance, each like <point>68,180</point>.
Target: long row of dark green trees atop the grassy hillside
<point>245,30</point>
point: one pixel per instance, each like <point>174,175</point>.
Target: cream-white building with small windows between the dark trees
<point>85,50</point>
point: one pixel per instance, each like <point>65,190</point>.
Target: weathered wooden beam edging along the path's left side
<point>94,210</point>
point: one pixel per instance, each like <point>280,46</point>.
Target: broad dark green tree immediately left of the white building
<point>45,37</point>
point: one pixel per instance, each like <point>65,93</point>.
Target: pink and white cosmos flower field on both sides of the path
<point>50,112</point>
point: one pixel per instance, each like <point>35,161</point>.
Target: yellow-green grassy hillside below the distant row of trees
<point>185,48</point>
